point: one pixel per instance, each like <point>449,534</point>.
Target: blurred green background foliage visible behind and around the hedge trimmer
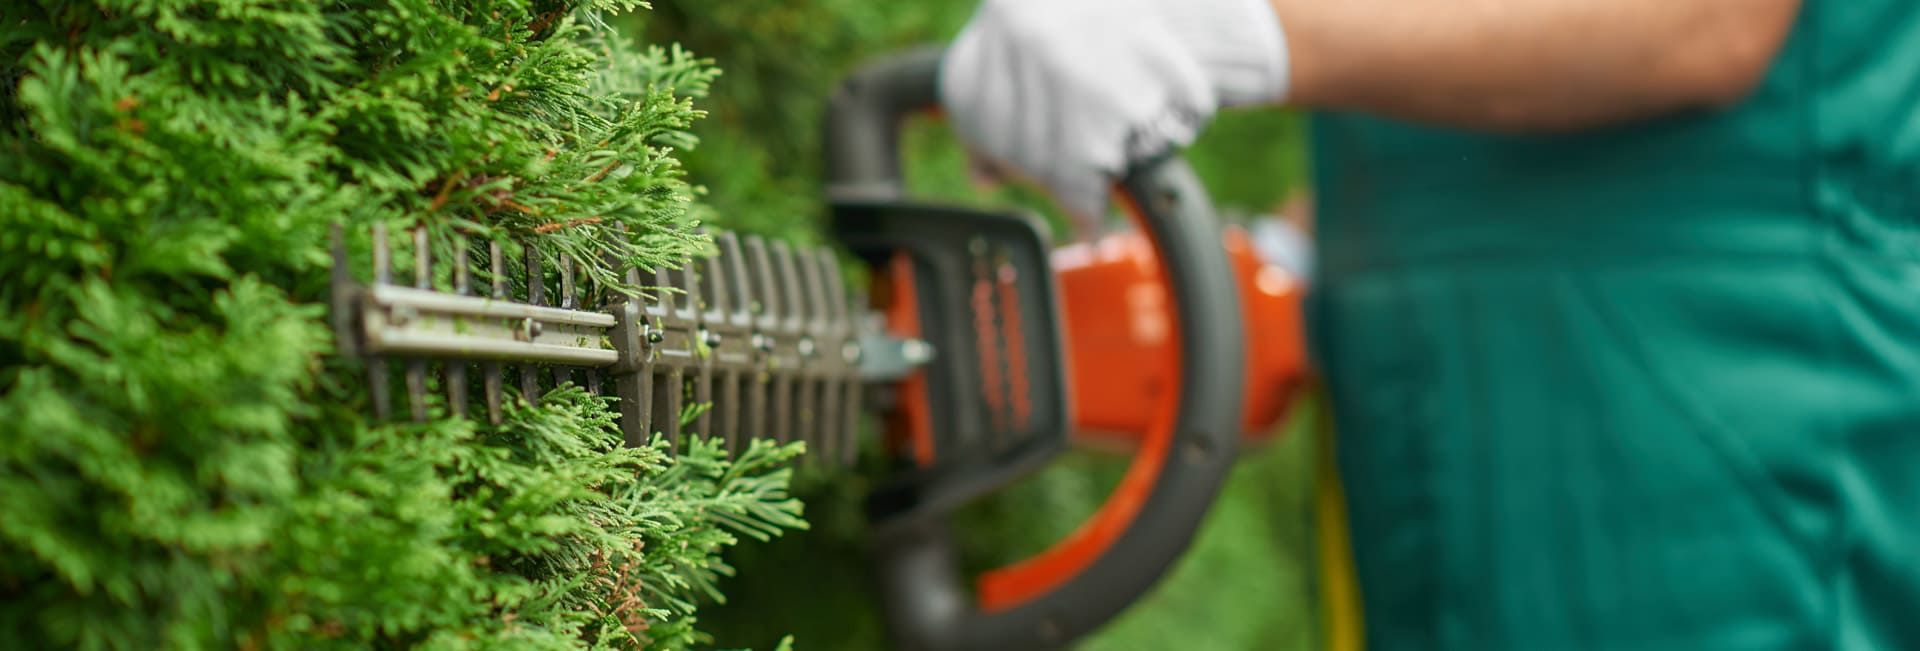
<point>1245,585</point>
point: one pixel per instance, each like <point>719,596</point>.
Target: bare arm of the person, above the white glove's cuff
<point>1529,64</point>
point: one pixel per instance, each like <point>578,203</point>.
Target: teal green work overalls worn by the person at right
<point>1652,387</point>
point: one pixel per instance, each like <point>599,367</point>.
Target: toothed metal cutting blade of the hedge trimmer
<point>761,335</point>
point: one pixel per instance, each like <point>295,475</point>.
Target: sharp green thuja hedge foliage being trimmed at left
<point>185,464</point>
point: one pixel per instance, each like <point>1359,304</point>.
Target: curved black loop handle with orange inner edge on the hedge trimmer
<point>1178,470</point>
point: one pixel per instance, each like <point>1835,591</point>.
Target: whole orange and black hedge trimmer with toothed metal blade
<point>982,354</point>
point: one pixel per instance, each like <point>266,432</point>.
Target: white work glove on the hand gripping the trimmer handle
<point>1070,93</point>
